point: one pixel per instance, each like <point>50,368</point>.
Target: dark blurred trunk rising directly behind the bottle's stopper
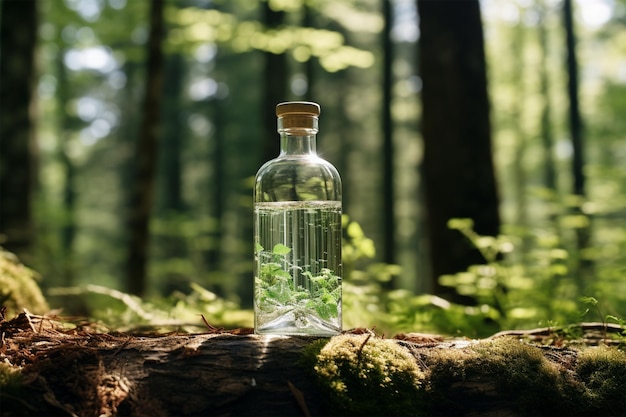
<point>275,85</point>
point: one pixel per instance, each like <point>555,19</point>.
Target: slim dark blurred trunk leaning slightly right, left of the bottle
<point>146,157</point>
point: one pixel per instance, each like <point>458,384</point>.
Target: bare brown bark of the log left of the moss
<point>177,375</point>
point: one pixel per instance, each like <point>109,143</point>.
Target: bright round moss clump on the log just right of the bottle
<point>366,375</point>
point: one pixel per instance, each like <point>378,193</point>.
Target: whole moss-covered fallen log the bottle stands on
<point>47,371</point>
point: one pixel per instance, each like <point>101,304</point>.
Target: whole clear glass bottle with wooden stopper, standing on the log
<point>297,233</point>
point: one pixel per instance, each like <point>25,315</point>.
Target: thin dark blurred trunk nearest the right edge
<point>583,232</point>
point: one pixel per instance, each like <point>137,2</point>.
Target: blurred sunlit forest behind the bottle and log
<point>130,133</point>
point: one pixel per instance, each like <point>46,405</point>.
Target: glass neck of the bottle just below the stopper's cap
<point>297,136</point>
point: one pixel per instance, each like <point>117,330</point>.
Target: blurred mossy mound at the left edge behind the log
<point>18,287</point>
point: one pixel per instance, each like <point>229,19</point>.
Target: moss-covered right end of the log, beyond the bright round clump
<point>516,378</point>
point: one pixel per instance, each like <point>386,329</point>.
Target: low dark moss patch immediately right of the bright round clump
<point>503,374</point>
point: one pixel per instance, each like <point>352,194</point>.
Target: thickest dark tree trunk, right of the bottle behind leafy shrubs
<point>458,171</point>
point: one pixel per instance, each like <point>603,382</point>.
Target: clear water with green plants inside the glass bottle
<point>298,267</point>
